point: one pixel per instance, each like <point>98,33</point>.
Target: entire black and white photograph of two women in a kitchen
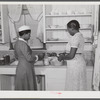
<point>50,47</point>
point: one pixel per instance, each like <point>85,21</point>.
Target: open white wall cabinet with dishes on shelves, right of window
<point>56,18</point>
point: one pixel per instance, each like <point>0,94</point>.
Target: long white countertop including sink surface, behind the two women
<point>39,68</point>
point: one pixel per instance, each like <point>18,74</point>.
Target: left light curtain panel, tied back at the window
<point>14,13</point>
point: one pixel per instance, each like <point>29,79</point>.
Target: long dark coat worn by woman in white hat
<point>25,74</point>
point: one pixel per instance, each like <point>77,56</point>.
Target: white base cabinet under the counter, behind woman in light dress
<point>57,80</point>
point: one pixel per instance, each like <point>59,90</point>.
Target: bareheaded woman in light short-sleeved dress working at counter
<point>76,66</point>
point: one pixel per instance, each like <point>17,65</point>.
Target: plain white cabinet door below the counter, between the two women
<point>56,79</point>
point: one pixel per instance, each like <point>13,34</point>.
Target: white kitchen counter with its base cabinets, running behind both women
<point>53,79</point>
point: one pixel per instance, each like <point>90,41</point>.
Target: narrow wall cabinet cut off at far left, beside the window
<point>4,25</point>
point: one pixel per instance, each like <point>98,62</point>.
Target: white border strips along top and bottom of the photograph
<point>52,95</point>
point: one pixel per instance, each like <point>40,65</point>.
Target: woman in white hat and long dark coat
<point>25,75</point>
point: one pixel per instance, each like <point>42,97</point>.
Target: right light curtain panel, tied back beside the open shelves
<point>36,12</point>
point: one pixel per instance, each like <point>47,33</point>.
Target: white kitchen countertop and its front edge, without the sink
<point>40,69</point>
